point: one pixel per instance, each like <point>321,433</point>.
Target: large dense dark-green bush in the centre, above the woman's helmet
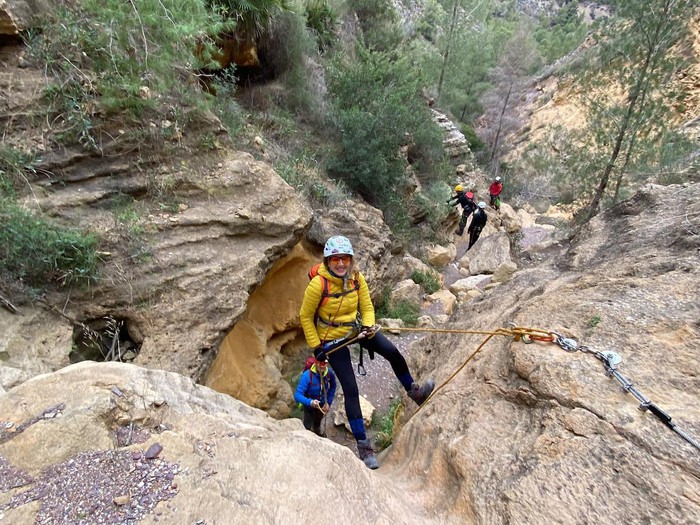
<point>377,109</point>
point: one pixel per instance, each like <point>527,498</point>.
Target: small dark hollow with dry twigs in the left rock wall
<point>104,339</point>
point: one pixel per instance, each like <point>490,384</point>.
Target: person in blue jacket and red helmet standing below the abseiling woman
<point>316,395</point>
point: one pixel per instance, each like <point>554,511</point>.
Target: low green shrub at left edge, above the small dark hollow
<point>37,252</point>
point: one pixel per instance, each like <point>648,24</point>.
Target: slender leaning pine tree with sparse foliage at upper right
<point>638,50</point>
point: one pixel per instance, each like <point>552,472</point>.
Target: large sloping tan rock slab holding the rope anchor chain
<point>534,434</point>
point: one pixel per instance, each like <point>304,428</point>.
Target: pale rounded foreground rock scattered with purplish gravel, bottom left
<point>234,464</point>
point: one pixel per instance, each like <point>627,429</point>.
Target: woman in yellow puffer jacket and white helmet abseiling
<point>337,306</point>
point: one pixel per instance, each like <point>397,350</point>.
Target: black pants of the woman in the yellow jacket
<point>342,366</point>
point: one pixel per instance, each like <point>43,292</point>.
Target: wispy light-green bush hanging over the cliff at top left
<point>114,60</point>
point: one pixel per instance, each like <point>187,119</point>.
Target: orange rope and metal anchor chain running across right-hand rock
<point>609,359</point>
